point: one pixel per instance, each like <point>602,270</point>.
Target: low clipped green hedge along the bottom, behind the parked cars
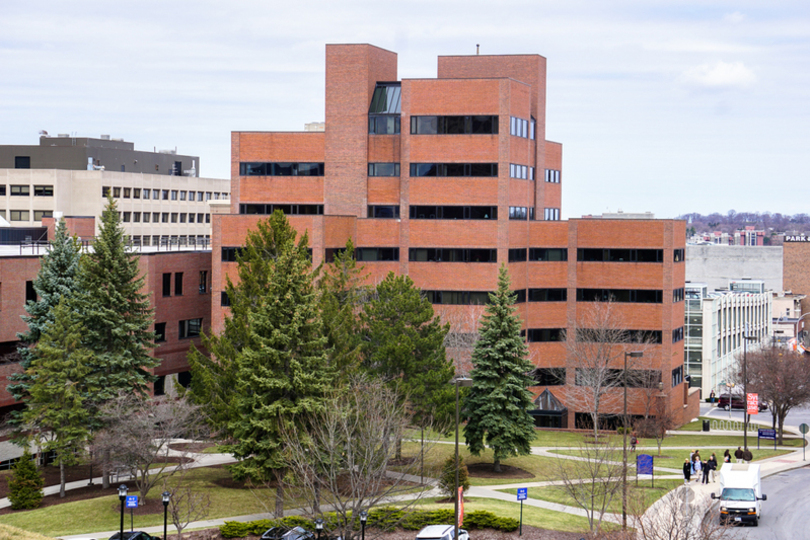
<point>387,518</point>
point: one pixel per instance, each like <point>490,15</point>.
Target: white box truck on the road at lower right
<point>740,494</point>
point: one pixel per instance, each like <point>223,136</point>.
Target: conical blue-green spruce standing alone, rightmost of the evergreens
<point>496,406</point>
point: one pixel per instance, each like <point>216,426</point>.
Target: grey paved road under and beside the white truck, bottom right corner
<point>784,514</point>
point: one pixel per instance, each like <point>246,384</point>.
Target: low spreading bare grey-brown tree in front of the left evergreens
<point>138,431</point>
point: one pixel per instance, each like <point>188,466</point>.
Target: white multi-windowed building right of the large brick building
<point>715,323</point>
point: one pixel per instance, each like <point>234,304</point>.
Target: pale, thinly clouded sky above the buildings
<point>667,106</point>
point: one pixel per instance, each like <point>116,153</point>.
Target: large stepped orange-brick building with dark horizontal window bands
<point>444,179</point>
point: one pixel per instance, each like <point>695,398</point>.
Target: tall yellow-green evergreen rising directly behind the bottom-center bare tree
<point>281,370</point>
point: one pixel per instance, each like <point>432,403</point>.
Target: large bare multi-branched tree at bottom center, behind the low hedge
<point>343,459</point>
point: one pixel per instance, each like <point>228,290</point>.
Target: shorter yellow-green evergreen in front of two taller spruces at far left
<point>56,411</point>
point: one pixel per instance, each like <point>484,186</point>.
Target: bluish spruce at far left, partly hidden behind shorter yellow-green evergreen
<point>56,280</point>
